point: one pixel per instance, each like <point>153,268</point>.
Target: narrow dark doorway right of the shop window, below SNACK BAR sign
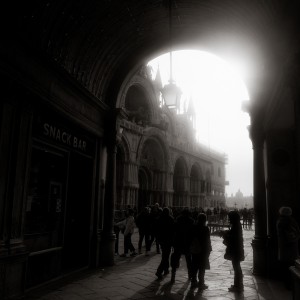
<point>78,213</point>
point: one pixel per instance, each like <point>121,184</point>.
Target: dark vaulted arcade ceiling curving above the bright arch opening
<point>98,42</point>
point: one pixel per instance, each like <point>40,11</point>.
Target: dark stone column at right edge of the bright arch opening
<point>260,240</point>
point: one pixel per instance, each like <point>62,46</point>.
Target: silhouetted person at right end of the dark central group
<point>200,253</point>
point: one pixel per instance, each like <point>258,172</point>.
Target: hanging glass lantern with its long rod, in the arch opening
<point>171,92</point>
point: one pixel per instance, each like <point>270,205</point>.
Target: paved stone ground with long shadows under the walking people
<point>133,278</point>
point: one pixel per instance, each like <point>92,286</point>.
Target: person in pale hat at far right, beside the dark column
<point>288,234</point>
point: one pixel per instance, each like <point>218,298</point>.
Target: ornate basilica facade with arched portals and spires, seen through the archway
<point>158,157</point>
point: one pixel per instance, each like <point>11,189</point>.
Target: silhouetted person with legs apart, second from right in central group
<point>182,241</point>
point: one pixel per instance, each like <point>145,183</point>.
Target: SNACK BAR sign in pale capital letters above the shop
<point>64,137</point>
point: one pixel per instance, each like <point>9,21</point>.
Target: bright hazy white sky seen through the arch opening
<point>217,90</point>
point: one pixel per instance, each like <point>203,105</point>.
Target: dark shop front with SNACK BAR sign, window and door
<point>58,215</point>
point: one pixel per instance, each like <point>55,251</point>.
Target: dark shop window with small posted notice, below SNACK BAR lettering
<point>45,200</point>
